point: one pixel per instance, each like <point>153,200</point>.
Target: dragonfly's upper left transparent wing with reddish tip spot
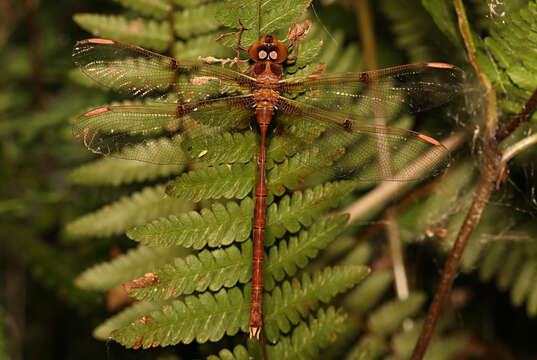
<point>139,72</point>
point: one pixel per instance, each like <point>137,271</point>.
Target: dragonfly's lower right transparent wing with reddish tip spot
<point>357,150</point>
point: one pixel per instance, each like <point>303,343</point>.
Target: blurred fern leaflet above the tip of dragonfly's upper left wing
<point>145,33</point>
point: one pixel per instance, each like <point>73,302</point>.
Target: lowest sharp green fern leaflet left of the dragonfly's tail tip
<point>203,318</point>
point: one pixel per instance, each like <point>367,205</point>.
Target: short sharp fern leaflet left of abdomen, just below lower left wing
<point>233,181</point>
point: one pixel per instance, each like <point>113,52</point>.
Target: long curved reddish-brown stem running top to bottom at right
<point>484,189</point>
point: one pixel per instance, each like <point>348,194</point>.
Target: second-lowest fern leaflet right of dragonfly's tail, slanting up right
<point>292,300</point>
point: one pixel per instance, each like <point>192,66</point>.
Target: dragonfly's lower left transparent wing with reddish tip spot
<point>140,132</point>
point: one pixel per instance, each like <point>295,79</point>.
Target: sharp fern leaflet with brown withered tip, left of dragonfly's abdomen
<point>211,270</point>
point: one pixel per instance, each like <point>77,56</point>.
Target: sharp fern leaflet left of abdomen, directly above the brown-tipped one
<point>218,226</point>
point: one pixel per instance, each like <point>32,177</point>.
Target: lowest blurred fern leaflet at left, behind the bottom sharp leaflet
<point>124,318</point>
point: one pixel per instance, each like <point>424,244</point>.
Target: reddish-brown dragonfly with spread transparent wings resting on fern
<point>326,117</point>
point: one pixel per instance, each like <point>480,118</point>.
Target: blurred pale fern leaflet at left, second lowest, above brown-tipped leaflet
<point>126,267</point>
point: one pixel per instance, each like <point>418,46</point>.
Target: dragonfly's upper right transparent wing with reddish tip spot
<point>379,93</point>
